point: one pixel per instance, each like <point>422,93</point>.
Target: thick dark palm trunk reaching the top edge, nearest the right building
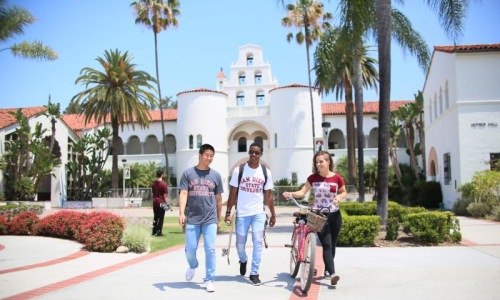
<point>383,12</point>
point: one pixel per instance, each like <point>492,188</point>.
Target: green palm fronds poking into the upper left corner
<point>12,22</point>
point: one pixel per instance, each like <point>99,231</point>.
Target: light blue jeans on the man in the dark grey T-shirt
<point>193,233</point>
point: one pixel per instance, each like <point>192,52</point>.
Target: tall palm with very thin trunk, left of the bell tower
<point>158,15</point>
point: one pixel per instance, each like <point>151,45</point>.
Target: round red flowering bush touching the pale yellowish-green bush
<point>102,231</point>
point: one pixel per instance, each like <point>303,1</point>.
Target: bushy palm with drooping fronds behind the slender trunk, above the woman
<point>334,72</point>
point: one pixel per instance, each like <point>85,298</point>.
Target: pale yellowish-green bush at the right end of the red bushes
<point>137,235</point>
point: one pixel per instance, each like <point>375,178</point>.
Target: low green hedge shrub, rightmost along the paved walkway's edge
<point>433,227</point>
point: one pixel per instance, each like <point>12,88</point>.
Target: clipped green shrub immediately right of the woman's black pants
<point>358,230</point>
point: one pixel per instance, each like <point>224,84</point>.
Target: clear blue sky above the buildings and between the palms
<point>206,40</point>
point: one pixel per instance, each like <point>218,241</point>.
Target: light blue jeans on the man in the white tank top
<point>242,226</point>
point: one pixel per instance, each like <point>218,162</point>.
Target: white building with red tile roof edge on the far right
<point>462,115</point>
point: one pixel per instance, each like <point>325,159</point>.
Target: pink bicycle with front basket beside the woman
<point>303,247</point>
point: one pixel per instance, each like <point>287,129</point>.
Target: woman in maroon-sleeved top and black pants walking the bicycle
<point>329,189</point>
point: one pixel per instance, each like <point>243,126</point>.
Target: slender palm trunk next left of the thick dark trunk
<point>358,98</point>
